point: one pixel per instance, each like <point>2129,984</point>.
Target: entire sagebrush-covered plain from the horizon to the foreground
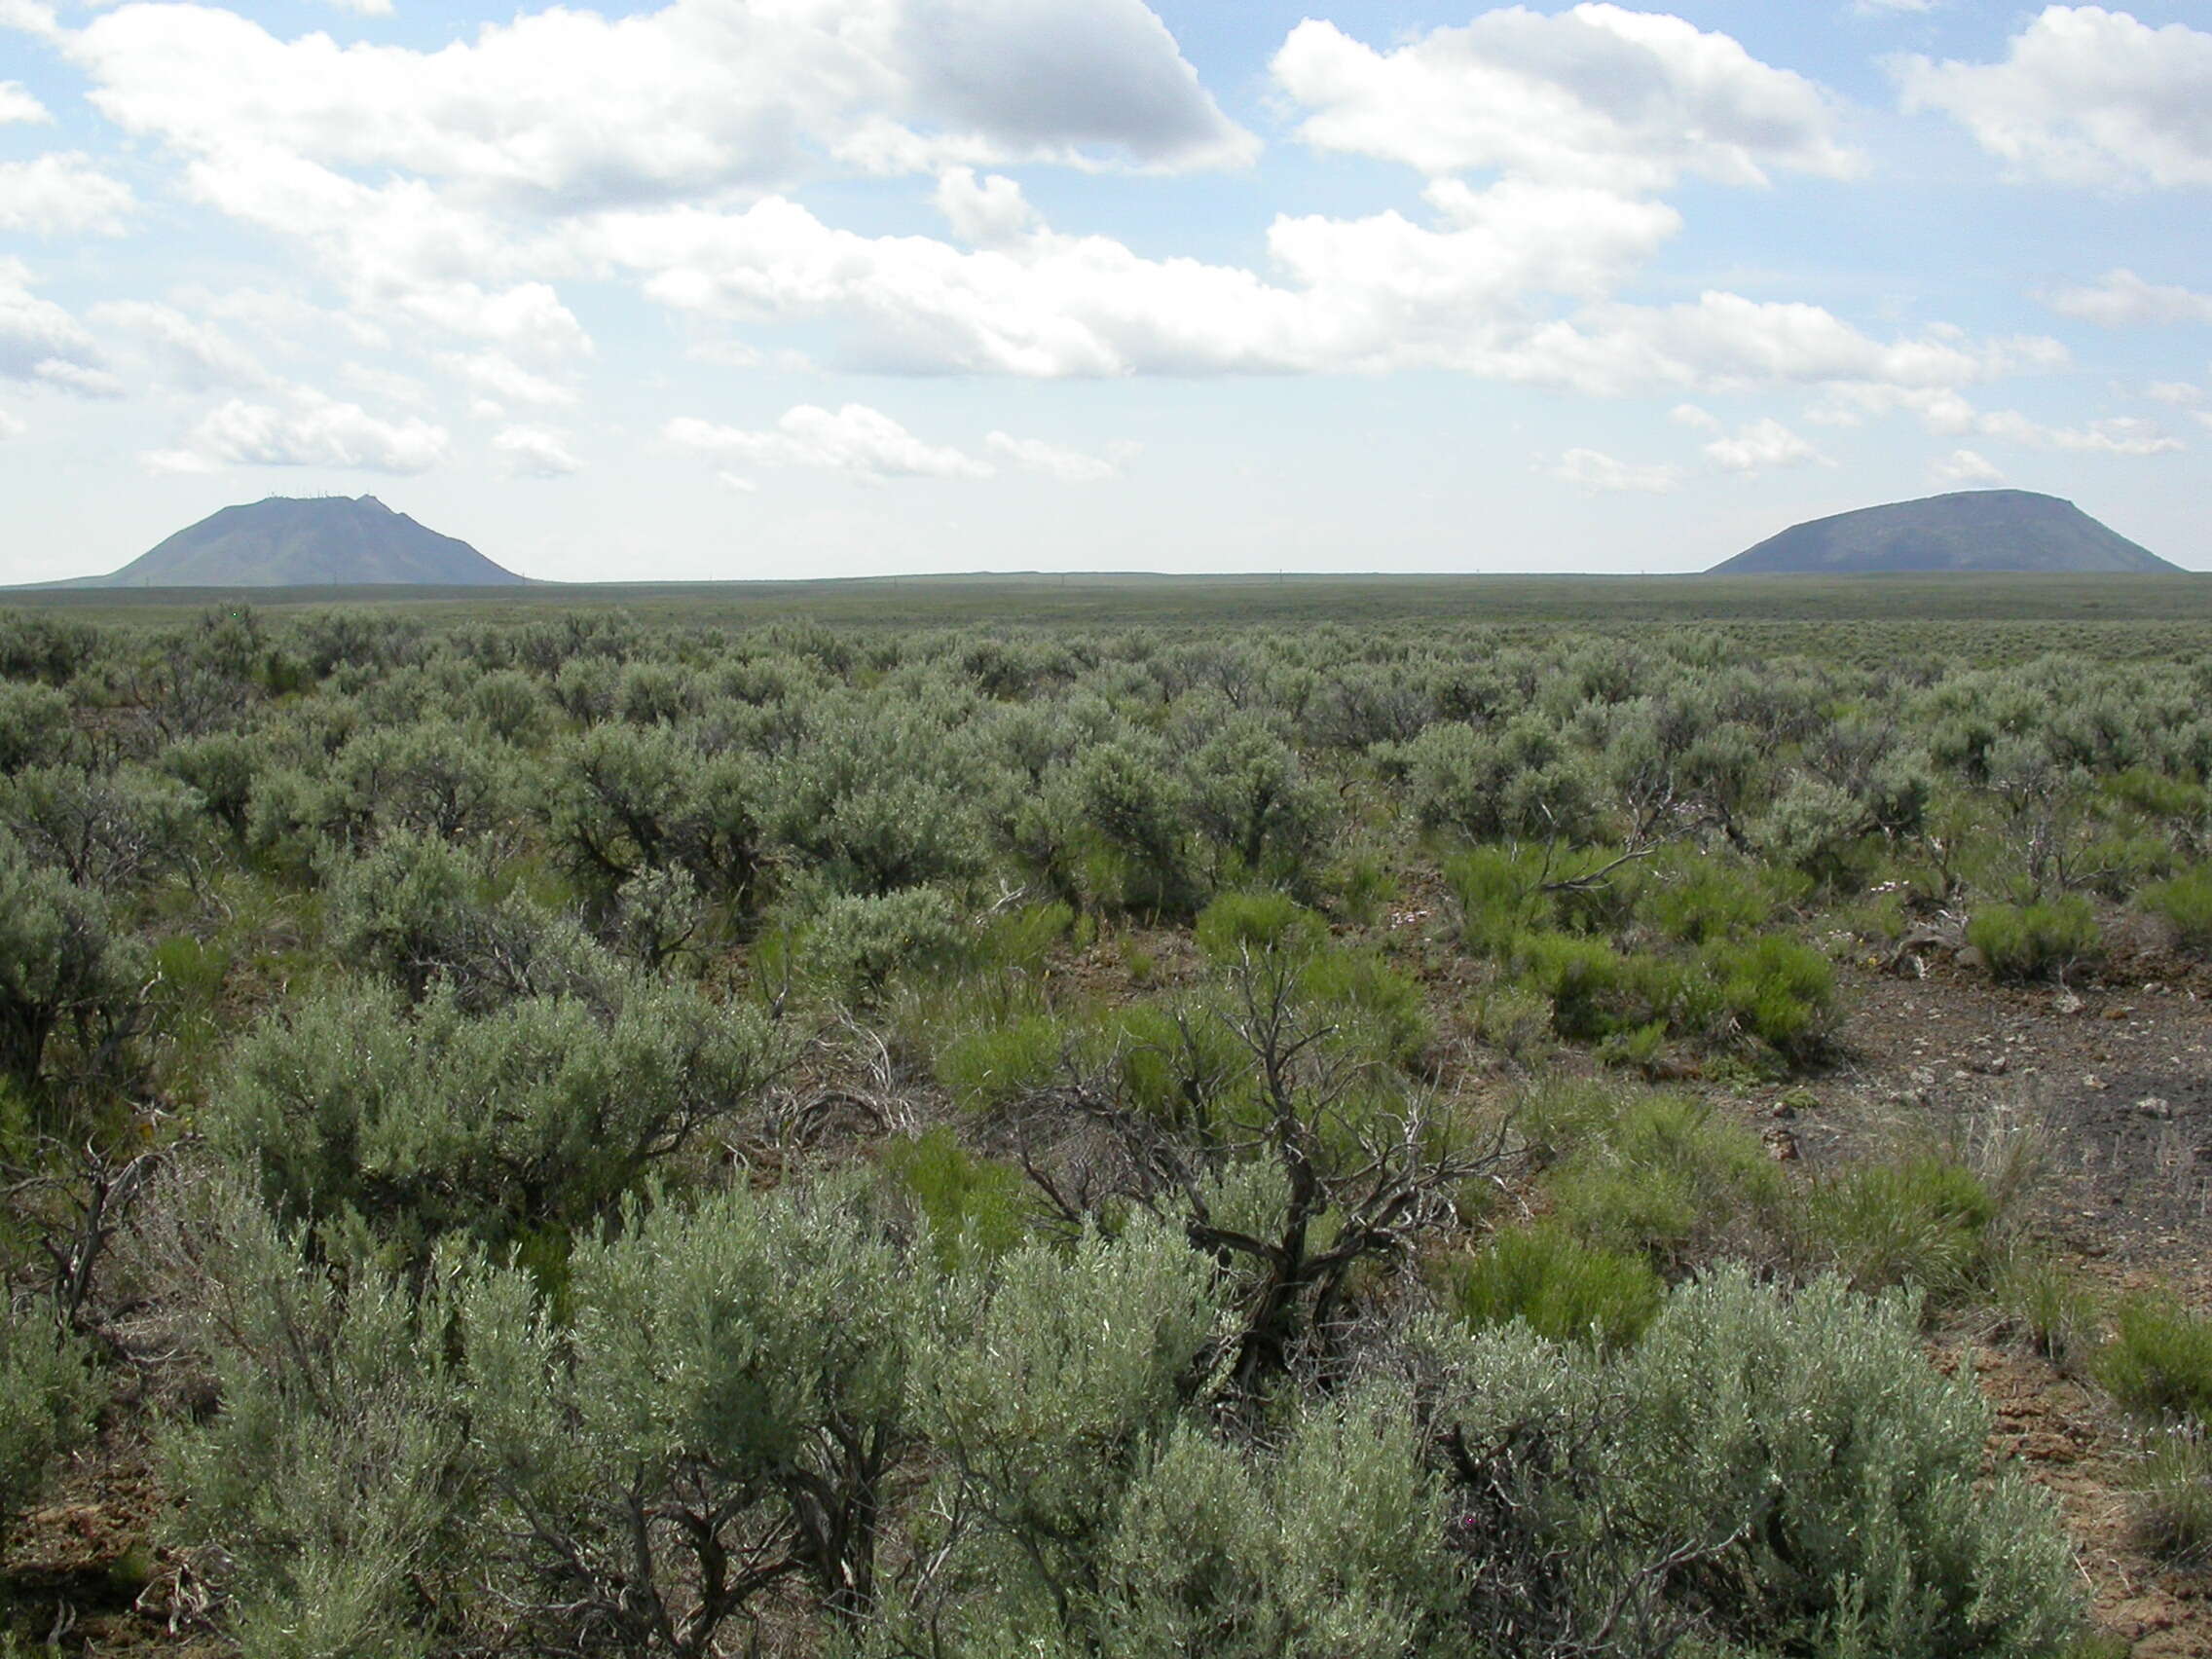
<point>1107,1116</point>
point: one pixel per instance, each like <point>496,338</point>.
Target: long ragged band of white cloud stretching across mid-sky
<point>1353,295</point>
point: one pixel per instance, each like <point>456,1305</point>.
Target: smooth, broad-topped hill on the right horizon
<point>1979,530</point>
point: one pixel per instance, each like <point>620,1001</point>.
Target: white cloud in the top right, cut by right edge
<point>2085,96</point>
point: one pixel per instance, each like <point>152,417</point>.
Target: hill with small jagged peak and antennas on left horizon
<point>289,543</point>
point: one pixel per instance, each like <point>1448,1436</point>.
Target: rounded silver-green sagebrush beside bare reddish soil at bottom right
<point>1848,1472</point>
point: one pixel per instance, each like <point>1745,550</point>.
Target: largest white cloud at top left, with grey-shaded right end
<point>578,107</point>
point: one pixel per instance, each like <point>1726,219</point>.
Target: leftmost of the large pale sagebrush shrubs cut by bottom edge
<point>331,1483</point>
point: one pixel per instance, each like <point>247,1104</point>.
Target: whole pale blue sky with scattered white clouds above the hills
<point>786,289</point>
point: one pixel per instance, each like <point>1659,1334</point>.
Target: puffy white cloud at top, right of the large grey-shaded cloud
<point>1596,96</point>
